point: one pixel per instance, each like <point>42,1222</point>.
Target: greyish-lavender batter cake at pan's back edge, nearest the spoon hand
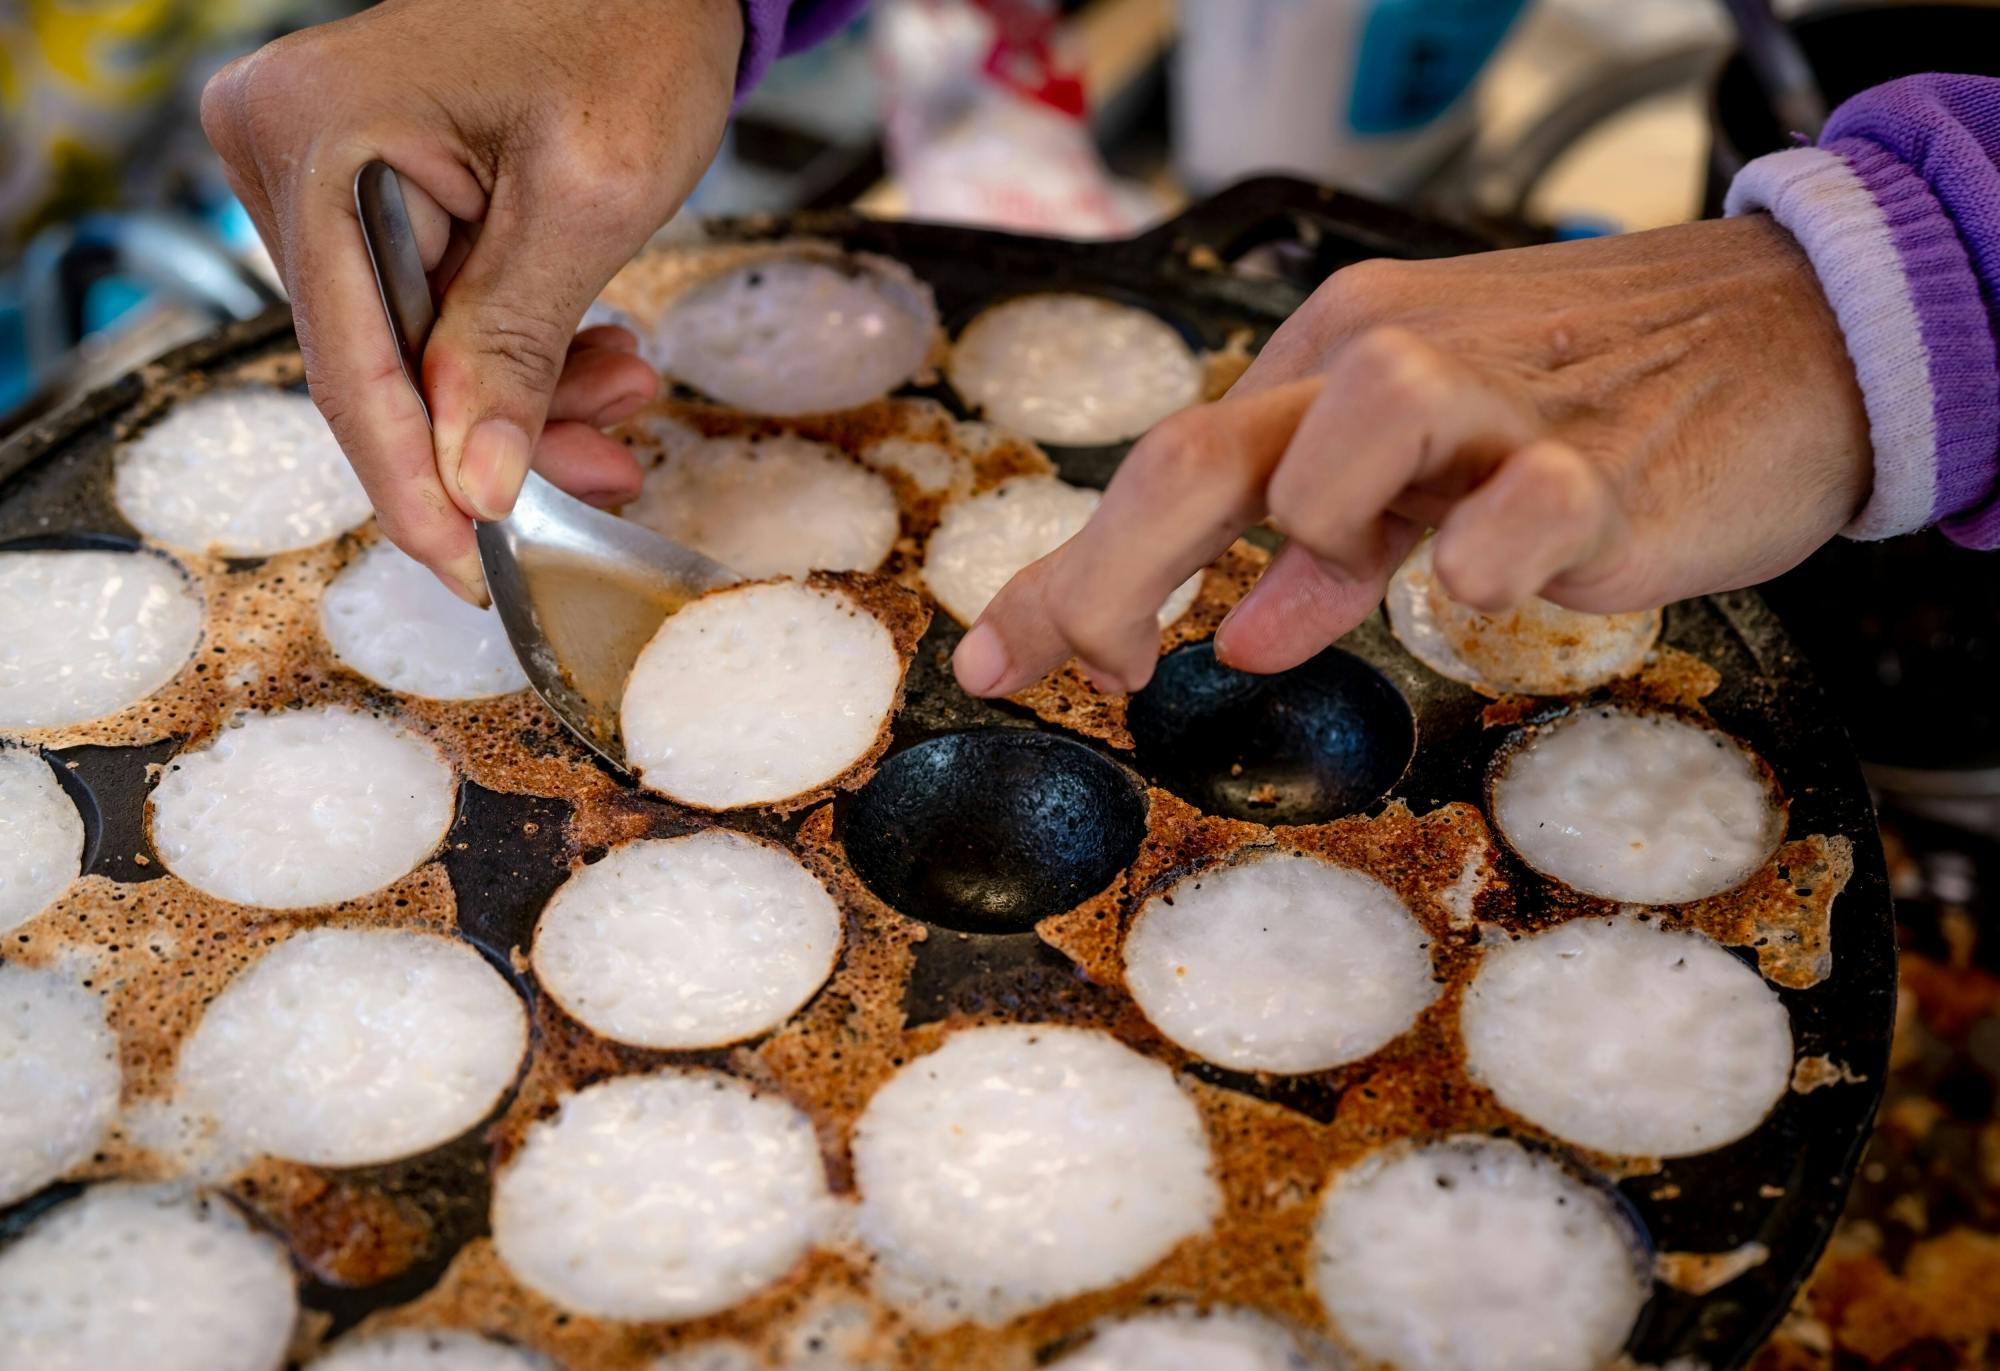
<point>799,335</point>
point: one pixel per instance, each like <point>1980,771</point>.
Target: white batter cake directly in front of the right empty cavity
<point>1279,964</point>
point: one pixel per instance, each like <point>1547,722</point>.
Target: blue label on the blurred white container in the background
<point>1417,57</point>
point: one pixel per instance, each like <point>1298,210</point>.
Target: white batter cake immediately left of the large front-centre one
<point>663,1196</point>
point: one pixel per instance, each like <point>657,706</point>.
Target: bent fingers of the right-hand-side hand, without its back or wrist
<point>1351,467</point>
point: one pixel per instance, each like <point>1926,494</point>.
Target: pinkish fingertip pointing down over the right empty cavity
<point>1303,605</point>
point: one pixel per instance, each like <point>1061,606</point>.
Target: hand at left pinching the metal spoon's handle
<point>539,145</point>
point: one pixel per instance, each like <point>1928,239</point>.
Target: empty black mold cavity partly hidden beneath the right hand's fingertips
<point>1303,746</point>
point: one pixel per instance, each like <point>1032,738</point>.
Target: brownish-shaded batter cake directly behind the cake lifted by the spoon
<point>771,507</point>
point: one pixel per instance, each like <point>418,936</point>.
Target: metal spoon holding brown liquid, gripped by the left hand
<point>579,591</point>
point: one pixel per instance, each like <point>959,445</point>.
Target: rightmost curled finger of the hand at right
<point>1545,513</point>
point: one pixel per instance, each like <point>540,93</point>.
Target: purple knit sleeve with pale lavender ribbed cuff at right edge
<point>1899,211</point>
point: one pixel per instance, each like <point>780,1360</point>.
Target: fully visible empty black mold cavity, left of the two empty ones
<point>995,828</point>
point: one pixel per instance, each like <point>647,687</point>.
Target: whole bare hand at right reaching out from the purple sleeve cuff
<point>1613,425</point>
